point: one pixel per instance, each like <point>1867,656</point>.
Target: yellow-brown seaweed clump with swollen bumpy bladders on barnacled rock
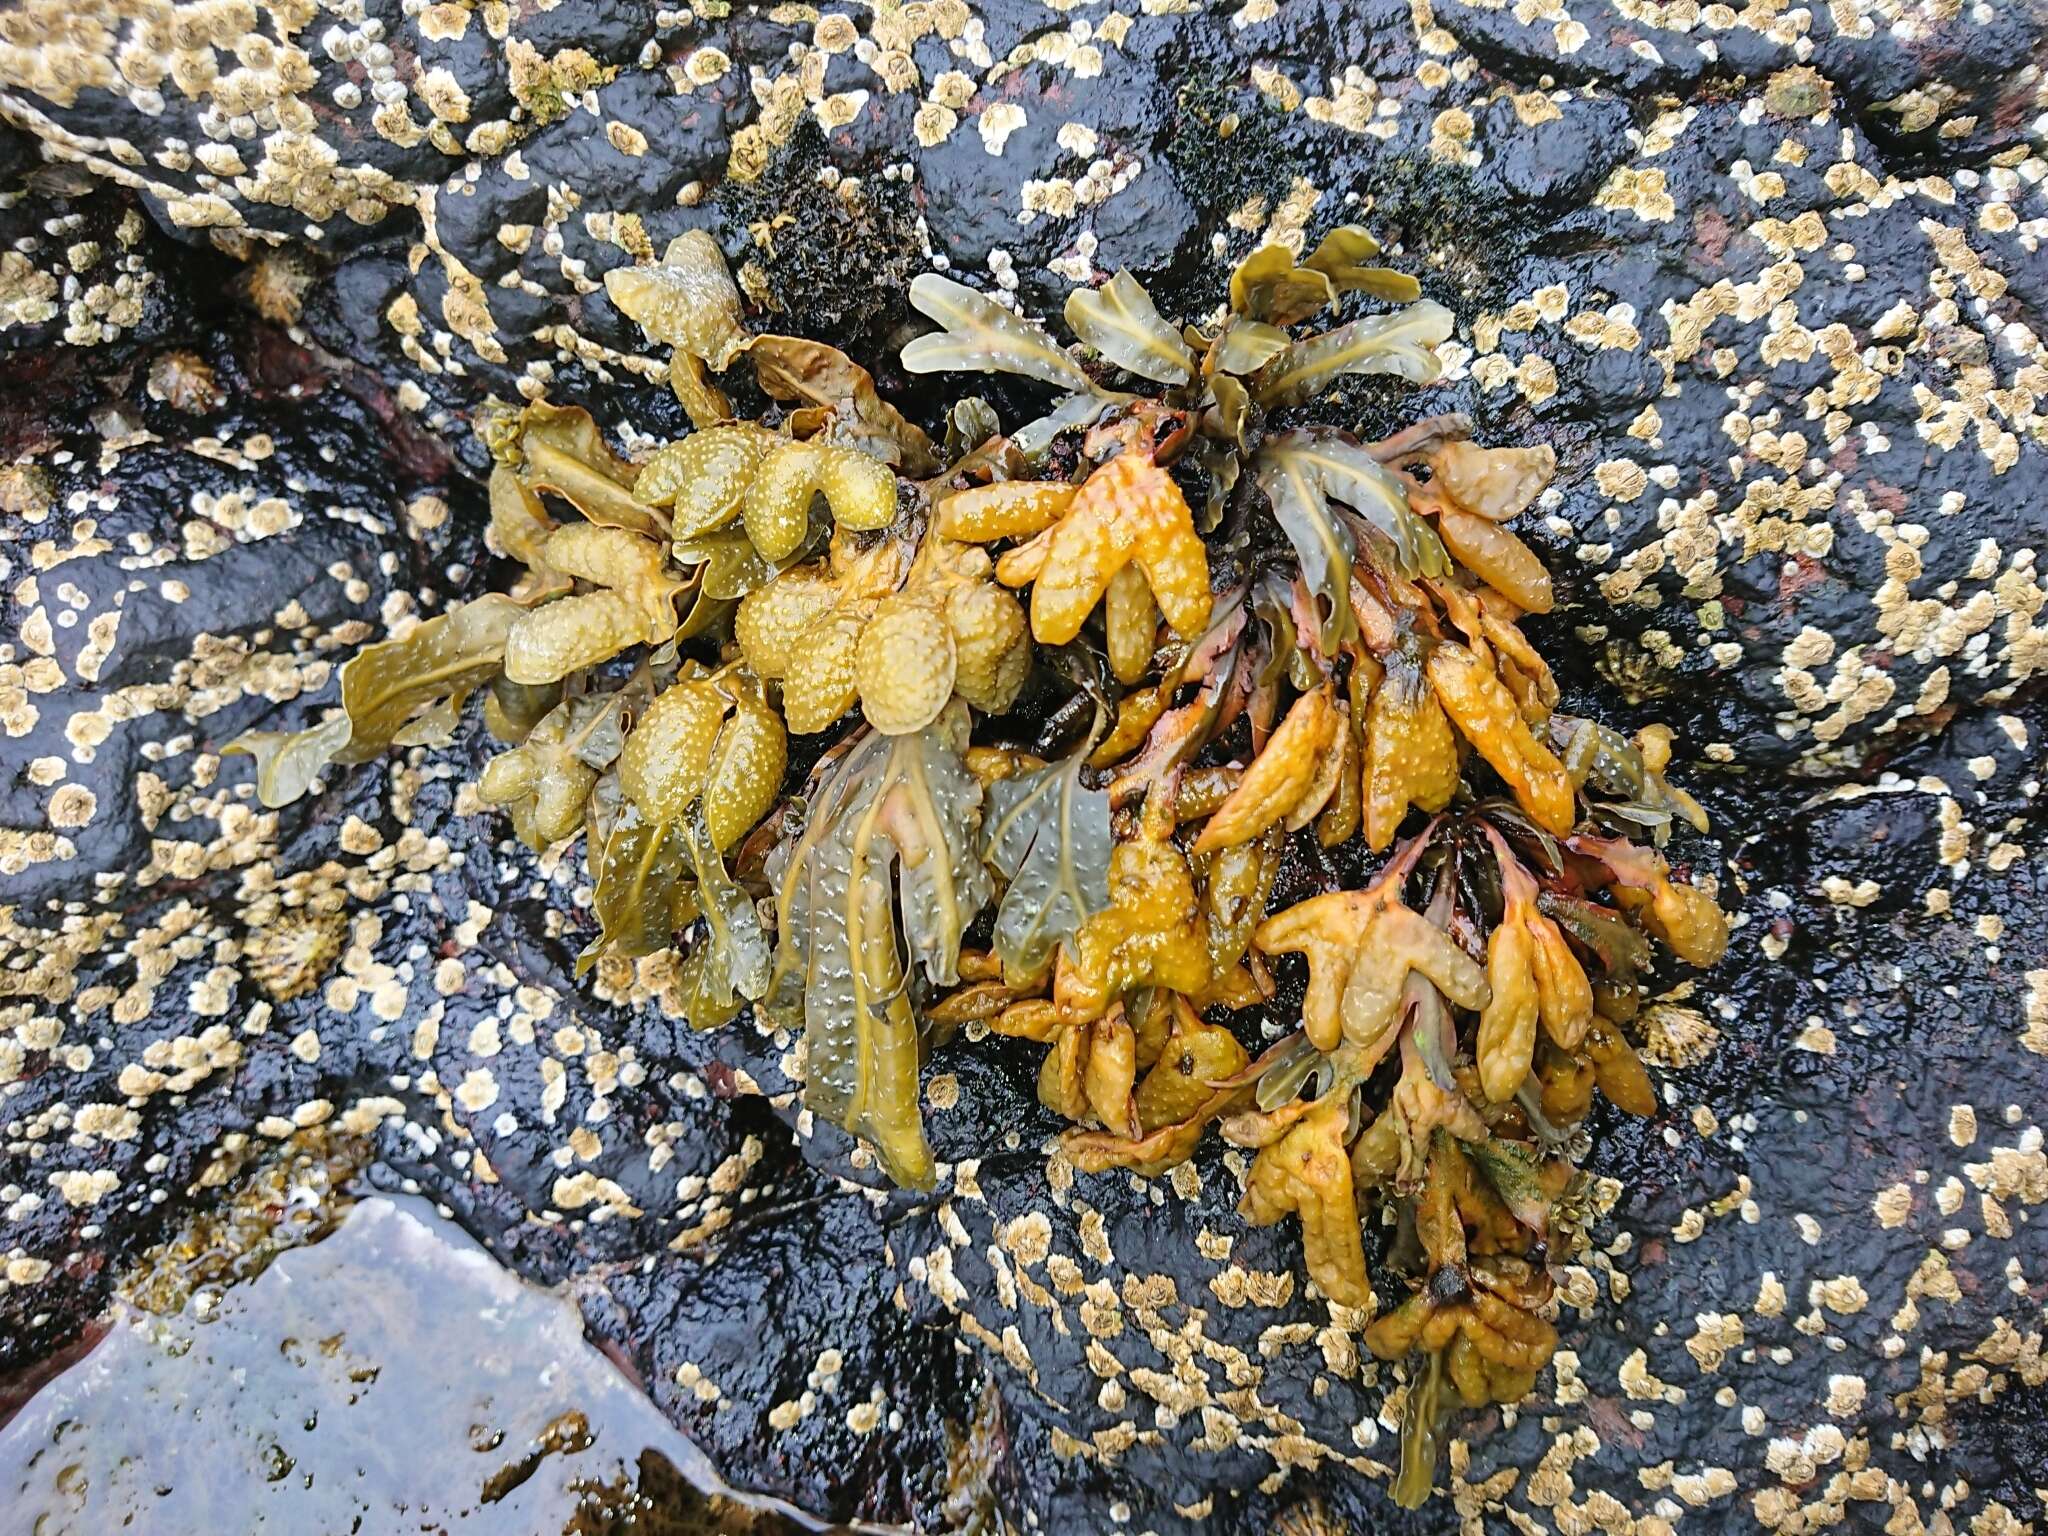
<point>1236,632</point>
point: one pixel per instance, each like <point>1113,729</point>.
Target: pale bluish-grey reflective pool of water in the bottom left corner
<point>275,1406</point>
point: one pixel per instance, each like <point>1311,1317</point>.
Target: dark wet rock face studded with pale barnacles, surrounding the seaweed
<point>1768,286</point>
